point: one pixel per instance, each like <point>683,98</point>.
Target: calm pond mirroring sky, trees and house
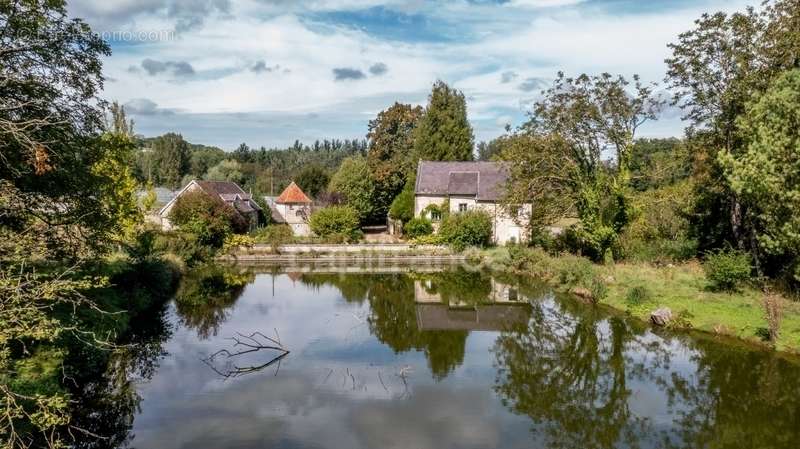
<point>450,359</point>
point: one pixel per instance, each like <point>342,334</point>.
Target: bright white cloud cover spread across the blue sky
<point>531,41</point>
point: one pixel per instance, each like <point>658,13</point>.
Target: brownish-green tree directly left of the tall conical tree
<point>390,154</point>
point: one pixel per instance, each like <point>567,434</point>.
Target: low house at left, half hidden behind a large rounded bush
<point>228,192</point>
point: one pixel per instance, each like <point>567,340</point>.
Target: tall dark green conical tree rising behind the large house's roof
<point>444,133</point>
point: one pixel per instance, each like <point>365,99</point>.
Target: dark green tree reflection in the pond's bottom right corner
<point>737,397</point>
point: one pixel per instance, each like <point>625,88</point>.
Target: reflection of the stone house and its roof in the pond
<point>503,308</point>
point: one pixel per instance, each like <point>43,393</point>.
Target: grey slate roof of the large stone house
<point>483,180</point>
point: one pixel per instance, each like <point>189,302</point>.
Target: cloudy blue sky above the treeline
<point>269,72</point>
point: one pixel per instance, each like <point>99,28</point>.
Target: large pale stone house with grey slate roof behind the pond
<point>463,186</point>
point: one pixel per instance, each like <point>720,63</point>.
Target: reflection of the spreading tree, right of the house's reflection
<point>569,372</point>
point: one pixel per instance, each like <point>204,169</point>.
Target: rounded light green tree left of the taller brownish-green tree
<point>354,182</point>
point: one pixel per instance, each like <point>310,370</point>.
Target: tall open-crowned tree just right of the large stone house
<point>583,118</point>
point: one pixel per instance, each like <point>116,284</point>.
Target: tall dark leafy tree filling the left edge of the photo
<point>56,168</point>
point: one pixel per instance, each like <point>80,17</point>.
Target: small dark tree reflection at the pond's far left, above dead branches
<point>207,293</point>
